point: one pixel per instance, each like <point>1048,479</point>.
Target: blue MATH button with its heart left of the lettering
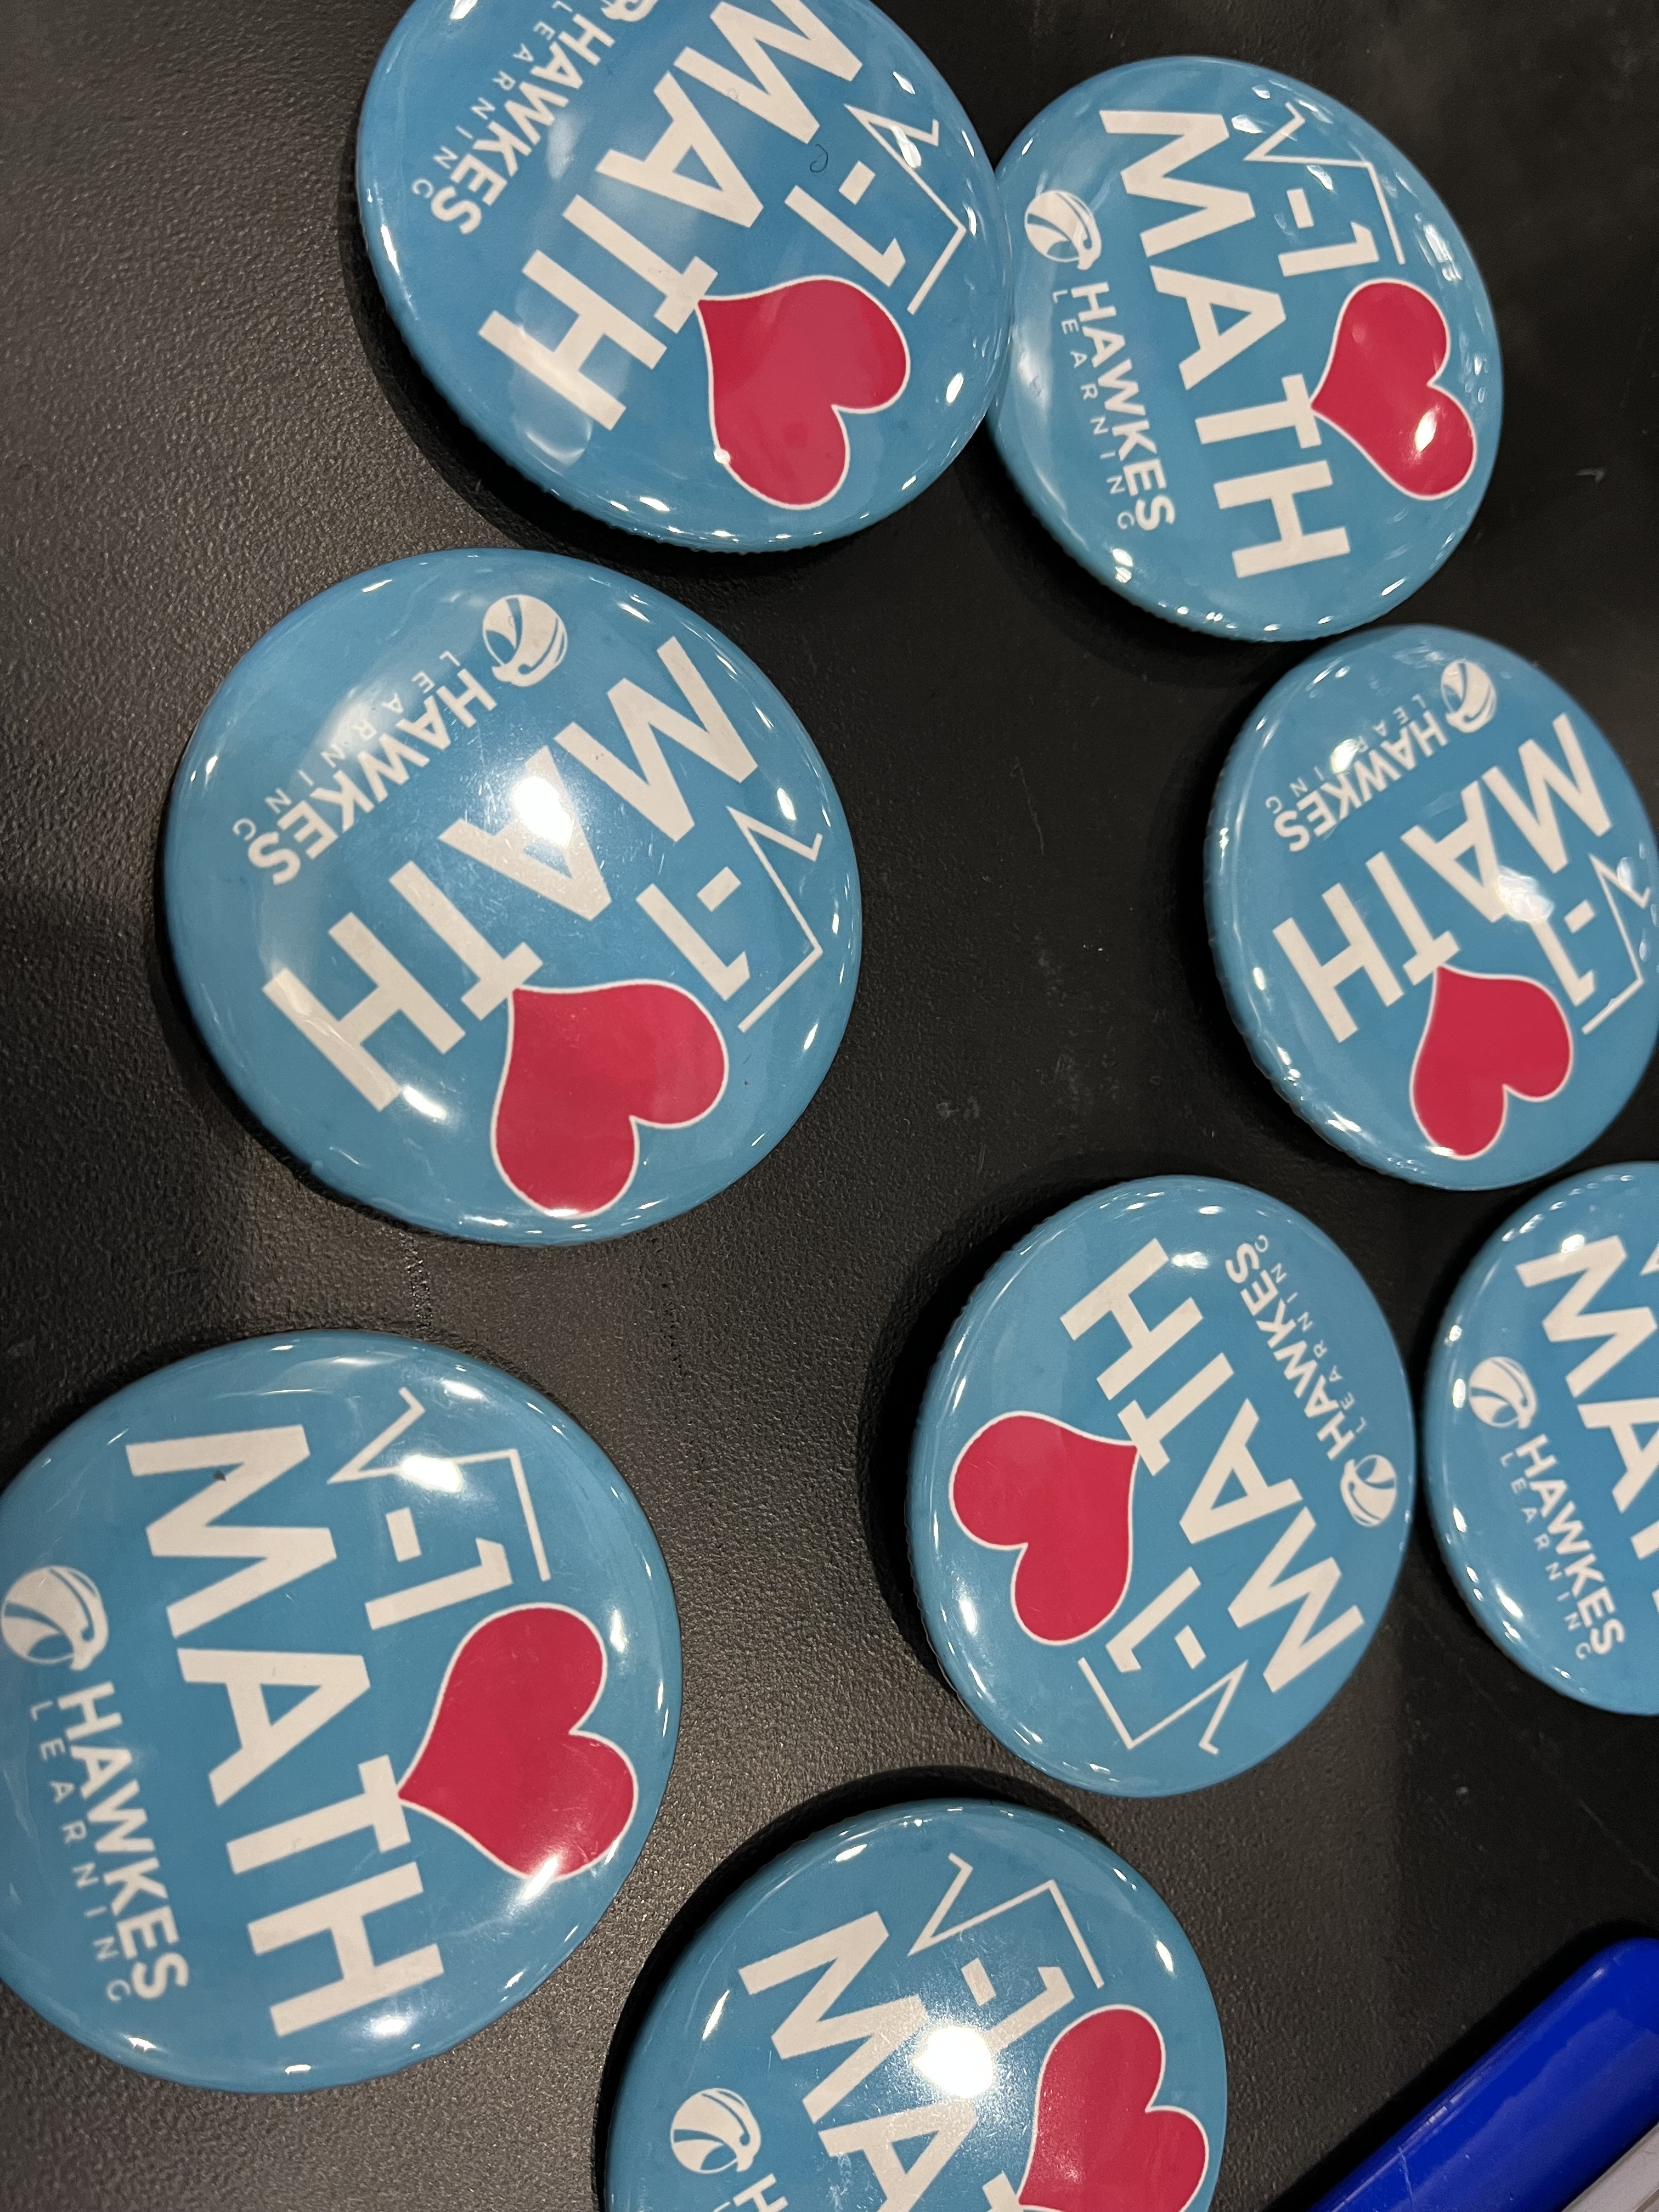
<point>1160,1488</point>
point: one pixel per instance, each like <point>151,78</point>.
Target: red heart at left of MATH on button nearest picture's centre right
<point>1065,1499</point>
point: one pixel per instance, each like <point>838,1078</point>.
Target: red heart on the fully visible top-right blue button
<point>1379,390</point>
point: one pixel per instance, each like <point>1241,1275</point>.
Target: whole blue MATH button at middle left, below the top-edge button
<point>512,897</point>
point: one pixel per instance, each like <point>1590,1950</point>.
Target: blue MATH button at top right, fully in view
<point>1253,379</point>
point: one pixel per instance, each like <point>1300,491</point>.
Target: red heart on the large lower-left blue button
<point>505,1762</point>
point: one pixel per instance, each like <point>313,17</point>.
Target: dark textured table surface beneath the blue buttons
<point>207,419</point>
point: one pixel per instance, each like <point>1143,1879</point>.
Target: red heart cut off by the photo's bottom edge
<point>1098,2142</point>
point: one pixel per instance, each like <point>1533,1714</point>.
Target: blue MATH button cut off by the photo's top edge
<point>724,278</point>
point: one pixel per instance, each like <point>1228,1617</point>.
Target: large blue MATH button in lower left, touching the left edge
<point>340,1682</point>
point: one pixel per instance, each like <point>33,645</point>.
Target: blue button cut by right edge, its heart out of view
<point>1541,1439</point>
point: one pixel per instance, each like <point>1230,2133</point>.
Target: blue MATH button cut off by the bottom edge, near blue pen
<point>1025,2025</point>
